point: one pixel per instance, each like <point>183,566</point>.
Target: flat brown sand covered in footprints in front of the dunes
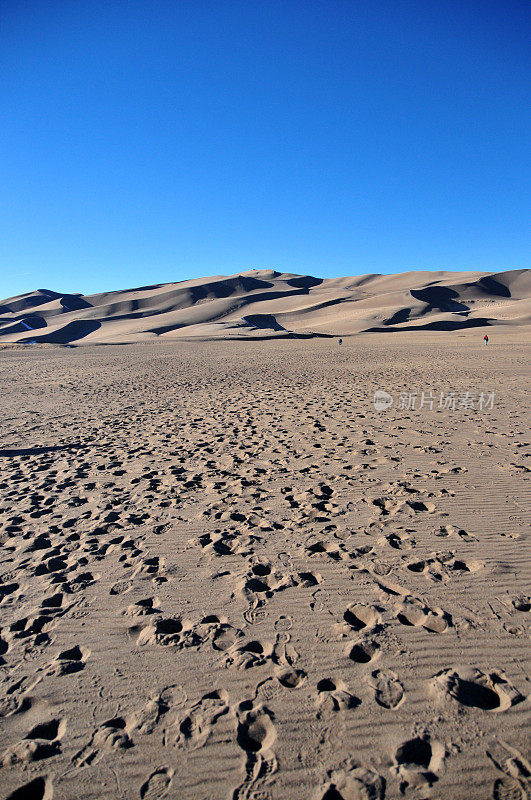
<point>226,574</point>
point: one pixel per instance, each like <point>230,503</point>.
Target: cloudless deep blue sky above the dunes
<point>151,141</point>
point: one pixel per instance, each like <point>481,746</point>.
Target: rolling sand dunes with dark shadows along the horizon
<point>262,304</point>
